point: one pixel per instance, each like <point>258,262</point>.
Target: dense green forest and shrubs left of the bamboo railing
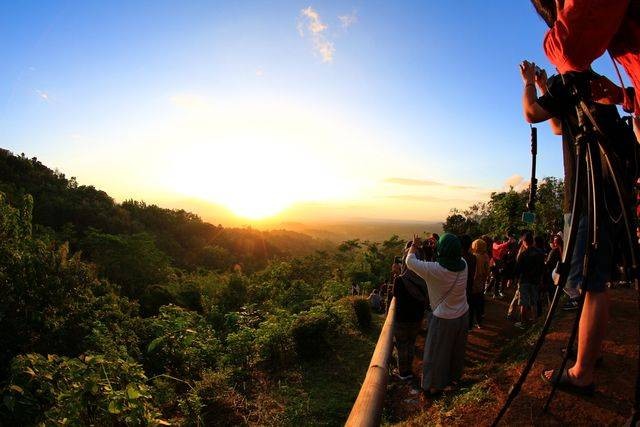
<point>129,314</point>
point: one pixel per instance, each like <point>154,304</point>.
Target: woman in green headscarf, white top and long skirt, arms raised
<point>448,325</point>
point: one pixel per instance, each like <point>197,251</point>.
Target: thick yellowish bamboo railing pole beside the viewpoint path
<point>367,411</point>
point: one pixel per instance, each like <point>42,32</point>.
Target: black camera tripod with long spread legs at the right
<point>593,156</point>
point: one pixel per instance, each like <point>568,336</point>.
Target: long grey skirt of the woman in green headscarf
<point>444,351</point>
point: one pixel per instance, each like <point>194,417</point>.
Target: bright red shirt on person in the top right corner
<point>585,29</point>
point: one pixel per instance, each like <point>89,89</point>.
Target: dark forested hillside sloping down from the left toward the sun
<point>91,221</point>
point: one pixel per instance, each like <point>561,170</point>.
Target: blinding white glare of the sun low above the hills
<point>256,173</point>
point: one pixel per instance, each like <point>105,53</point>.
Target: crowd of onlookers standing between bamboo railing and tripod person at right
<point>441,283</point>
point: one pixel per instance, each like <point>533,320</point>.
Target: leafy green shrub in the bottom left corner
<point>93,390</point>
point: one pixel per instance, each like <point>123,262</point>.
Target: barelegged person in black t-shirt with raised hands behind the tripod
<point>557,104</point>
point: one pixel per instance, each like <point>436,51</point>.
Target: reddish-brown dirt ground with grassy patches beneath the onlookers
<point>494,375</point>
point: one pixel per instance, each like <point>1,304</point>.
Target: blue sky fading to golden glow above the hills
<point>291,110</point>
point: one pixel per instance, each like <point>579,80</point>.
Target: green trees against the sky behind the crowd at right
<point>502,214</point>
